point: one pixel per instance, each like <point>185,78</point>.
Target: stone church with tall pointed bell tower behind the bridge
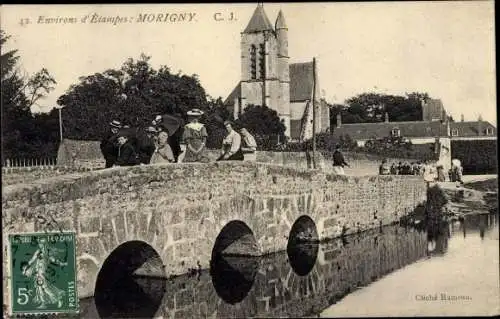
<point>268,78</point>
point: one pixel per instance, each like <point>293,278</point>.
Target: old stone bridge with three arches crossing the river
<point>166,219</point>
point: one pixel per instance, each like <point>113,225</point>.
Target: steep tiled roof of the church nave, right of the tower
<point>301,81</point>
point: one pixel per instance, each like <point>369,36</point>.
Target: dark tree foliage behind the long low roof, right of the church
<point>371,108</point>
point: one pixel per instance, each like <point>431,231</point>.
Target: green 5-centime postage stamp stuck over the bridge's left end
<point>43,273</point>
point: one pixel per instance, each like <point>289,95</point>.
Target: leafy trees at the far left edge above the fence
<point>25,135</point>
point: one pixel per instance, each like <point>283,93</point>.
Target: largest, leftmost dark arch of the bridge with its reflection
<point>119,287</point>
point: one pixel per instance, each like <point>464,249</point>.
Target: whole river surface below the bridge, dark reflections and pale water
<point>452,269</point>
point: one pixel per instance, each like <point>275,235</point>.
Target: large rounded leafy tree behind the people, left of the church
<point>134,94</point>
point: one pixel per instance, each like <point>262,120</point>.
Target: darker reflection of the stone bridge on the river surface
<point>302,281</point>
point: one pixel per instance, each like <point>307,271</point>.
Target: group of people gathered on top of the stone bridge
<point>167,139</point>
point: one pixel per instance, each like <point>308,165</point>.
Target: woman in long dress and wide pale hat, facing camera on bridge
<point>194,139</point>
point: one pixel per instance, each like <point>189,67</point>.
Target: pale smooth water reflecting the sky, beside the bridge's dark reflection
<point>458,278</point>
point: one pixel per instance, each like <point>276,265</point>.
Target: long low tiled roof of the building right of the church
<point>362,131</point>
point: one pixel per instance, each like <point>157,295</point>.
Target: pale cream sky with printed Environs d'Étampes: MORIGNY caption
<point>446,49</point>
